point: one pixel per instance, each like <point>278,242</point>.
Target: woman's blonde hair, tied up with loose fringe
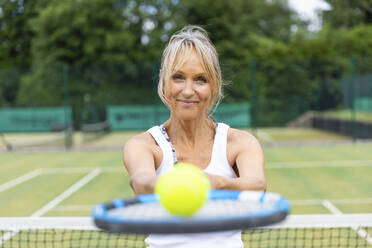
<point>175,53</point>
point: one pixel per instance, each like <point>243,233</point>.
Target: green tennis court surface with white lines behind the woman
<point>317,179</point>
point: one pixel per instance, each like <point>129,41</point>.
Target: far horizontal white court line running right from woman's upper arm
<point>314,164</point>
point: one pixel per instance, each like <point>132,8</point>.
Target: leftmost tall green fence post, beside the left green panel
<point>68,126</point>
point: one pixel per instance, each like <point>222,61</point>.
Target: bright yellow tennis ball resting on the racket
<point>183,190</point>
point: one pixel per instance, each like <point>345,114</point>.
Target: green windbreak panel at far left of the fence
<point>34,119</point>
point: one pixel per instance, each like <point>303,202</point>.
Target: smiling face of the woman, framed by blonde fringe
<point>188,91</point>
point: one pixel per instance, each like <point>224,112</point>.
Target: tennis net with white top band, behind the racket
<point>347,230</point>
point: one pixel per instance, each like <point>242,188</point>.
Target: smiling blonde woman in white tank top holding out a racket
<point>190,84</point>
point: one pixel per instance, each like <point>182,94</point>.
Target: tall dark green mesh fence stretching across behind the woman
<point>276,91</point>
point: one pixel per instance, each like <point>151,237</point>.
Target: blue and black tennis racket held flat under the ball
<point>224,210</point>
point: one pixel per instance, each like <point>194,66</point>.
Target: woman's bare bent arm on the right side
<point>244,150</point>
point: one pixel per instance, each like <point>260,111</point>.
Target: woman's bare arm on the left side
<point>139,160</point>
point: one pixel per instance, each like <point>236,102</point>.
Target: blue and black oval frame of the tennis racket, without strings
<point>266,216</point>
